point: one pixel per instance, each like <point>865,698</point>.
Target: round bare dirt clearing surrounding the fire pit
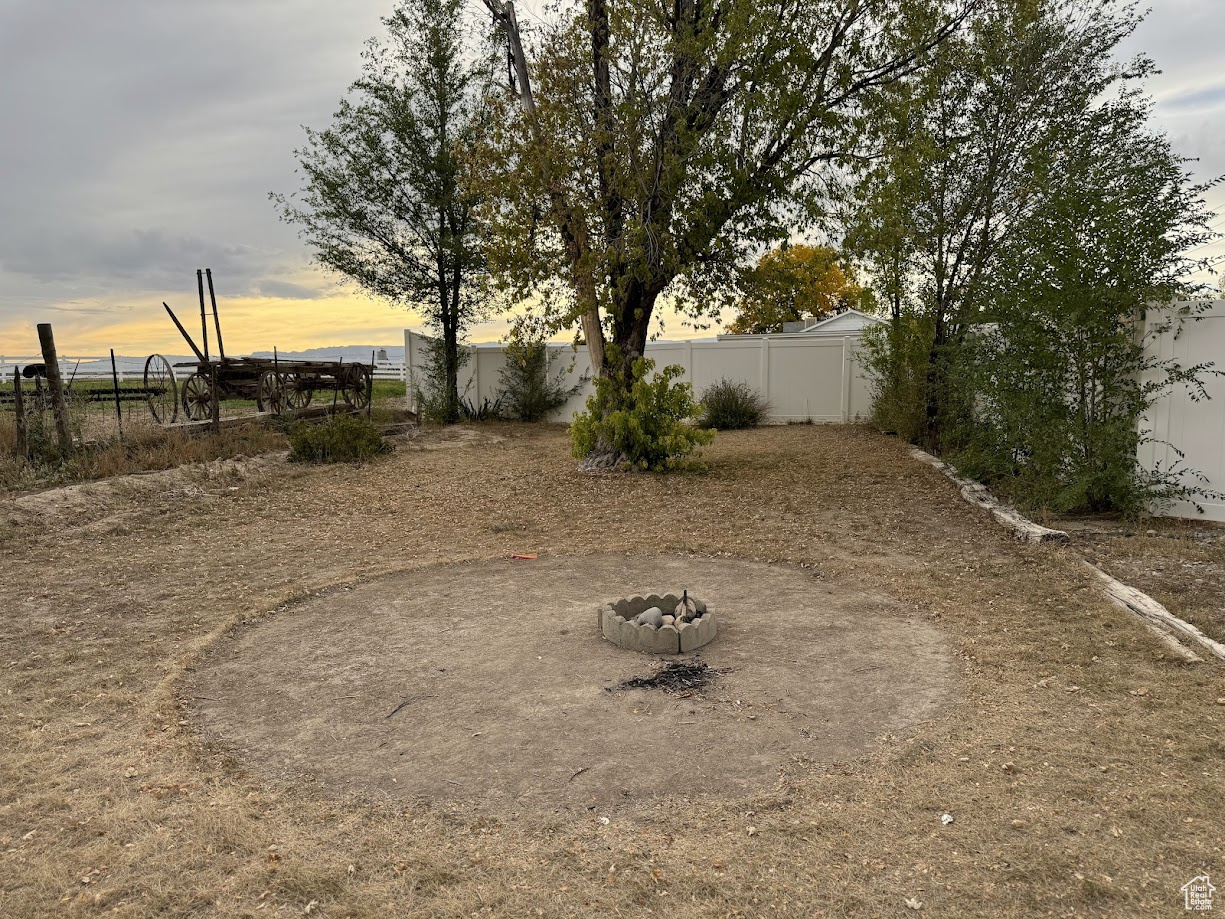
<point>489,683</point>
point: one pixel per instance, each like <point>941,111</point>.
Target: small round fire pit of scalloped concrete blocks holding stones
<point>658,624</point>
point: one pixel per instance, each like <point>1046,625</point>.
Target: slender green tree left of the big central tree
<point>388,199</point>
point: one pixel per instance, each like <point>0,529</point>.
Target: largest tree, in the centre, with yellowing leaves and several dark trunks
<point>661,144</point>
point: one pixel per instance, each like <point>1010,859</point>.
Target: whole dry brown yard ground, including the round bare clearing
<point>199,675</point>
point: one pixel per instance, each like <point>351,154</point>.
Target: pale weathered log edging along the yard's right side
<point>1167,627</point>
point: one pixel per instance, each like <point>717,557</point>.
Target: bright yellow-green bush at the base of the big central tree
<point>644,428</point>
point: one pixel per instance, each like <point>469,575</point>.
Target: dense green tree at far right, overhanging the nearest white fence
<point>1061,377</point>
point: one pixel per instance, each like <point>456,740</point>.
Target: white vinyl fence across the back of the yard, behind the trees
<point>804,378</point>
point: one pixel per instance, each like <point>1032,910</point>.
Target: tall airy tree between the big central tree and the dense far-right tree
<point>955,180</point>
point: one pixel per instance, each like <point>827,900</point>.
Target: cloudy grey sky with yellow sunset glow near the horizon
<point>141,142</point>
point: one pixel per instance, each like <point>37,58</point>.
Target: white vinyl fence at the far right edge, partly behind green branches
<point>1197,428</point>
